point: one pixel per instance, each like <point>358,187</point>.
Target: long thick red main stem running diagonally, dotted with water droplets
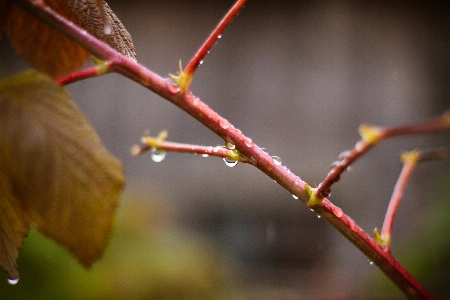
<point>256,156</point>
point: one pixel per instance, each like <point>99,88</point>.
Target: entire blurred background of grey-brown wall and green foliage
<point>298,77</point>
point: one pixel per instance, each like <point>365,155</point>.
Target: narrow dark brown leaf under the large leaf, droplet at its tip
<point>14,227</point>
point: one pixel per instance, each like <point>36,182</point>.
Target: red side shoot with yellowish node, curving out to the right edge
<point>372,135</point>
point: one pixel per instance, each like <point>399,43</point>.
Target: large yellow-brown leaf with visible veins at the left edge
<point>65,180</point>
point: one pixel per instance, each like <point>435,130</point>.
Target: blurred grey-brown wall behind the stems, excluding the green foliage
<point>298,77</point>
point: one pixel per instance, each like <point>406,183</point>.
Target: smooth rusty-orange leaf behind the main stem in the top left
<point>42,47</point>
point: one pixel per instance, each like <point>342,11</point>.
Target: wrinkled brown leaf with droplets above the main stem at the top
<point>98,18</point>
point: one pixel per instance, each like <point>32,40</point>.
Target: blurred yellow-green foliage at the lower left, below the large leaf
<point>148,258</point>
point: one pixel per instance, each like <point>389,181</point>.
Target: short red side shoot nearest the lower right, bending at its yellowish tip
<point>410,160</point>
